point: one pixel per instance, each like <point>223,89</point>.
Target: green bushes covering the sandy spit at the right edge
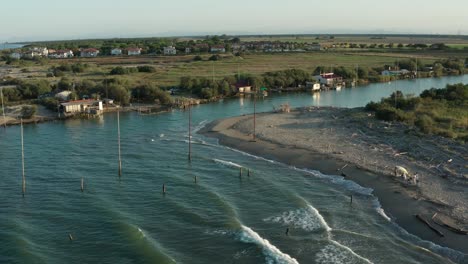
<point>436,111</point>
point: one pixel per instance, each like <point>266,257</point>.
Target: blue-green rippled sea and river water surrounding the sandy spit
<point>223,218</point>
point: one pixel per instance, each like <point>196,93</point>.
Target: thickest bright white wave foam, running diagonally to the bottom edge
<point>272,253</point>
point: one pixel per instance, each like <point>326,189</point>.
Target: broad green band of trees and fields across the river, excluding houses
<point>213,75</point>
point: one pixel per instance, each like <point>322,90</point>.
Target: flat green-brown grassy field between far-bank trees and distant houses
<point>169,69</point>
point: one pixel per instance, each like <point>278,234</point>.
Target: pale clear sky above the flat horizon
<point>33,20</point>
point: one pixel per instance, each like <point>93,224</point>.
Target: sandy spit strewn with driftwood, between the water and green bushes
<point>366,150</point>
